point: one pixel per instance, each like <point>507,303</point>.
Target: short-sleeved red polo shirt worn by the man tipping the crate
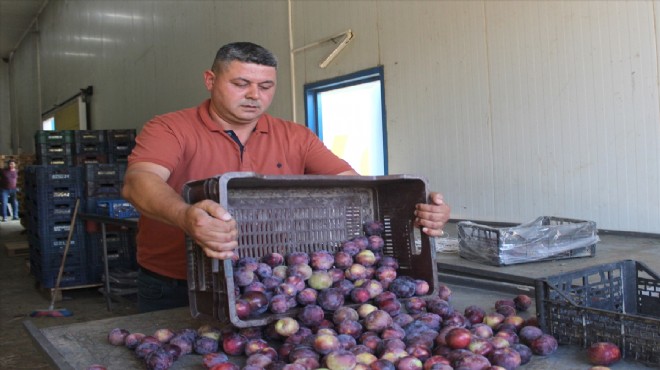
<point>193,147</point>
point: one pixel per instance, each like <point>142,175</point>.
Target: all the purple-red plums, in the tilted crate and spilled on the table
<point>353,312</point>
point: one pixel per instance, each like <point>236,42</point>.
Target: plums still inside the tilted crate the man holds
<point>356,273</point>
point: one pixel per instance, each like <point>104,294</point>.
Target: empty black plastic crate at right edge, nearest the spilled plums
<point>616,302</point>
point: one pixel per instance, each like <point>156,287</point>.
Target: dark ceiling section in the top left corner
<point>16,17</point>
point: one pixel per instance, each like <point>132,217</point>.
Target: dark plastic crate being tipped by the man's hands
<point>304,213</point>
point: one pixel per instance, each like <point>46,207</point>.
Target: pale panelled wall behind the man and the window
<point>514,109</point>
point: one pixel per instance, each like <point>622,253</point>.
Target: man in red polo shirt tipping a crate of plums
<point>229,132</point>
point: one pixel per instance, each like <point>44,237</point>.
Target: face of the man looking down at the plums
<point>242,92</point>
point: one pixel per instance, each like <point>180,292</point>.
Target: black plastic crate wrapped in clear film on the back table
<point>542,239</point>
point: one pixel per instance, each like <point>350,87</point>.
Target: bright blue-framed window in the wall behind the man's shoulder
<point>348,114</point>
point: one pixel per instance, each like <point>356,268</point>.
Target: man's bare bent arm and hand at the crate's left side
<point>210,225</point>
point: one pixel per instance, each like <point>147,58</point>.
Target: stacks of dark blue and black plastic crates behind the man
<point>79,164</point>
